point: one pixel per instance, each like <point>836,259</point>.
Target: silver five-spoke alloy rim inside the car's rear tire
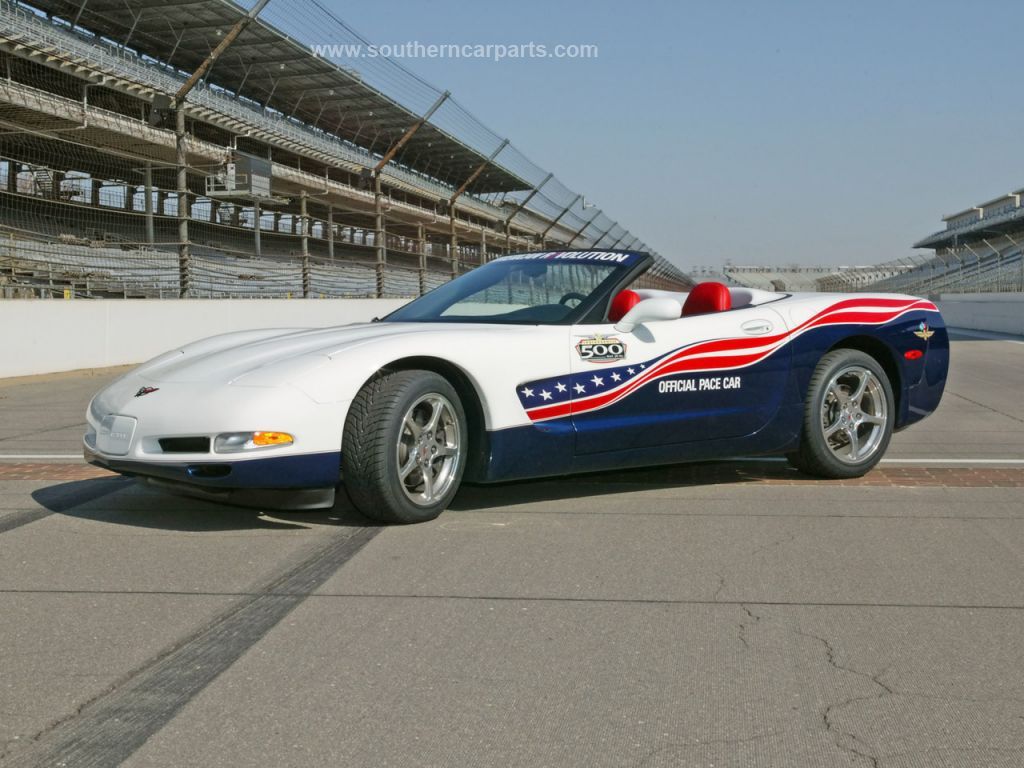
<point>855,414</point>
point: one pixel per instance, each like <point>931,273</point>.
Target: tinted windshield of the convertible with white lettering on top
<point>527,289</point>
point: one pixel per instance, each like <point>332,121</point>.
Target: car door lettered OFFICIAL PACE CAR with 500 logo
<point>698,378</point>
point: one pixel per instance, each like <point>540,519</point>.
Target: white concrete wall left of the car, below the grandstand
<point>40,336</point>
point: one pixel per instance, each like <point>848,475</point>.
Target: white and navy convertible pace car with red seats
<point>534,365</point>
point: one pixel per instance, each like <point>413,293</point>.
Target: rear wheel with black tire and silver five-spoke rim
<point>848,417</point>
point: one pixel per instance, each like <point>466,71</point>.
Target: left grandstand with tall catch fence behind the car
<point>183,149</point>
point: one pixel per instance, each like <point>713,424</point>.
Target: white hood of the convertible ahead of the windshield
<point>278,354</point>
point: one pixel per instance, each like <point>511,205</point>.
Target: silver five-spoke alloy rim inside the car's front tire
<point>430,450</point>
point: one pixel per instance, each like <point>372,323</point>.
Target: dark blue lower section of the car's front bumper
<point>295,482</point>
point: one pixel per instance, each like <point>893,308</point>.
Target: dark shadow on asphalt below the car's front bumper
<point>121,501</point>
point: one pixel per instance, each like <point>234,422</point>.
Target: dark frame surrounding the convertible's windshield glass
<point>595,306</point>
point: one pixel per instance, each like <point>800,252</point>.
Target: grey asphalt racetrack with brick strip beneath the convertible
<point>727,615</point>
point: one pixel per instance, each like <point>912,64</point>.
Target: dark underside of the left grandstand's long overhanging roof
<point>277,71</point>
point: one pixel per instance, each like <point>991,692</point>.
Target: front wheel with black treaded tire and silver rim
<point>405,447</point>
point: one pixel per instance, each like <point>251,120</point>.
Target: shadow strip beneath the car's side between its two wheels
<point>476,497</point>
